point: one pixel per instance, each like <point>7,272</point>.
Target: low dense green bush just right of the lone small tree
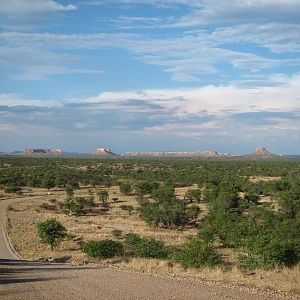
<point>102,249</point>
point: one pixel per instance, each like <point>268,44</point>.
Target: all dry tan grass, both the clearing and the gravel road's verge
<point>26,214</point>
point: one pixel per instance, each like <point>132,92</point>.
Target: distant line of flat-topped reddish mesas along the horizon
<point>260,153</point>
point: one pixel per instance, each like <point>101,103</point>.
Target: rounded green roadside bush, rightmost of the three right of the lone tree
<point>196,254</point>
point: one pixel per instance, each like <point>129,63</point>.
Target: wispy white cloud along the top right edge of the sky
<point>222,11</point>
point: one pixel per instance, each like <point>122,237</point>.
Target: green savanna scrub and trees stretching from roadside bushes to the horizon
<point>260,234</point>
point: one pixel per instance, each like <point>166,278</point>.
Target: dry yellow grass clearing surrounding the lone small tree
<point>25,215</point>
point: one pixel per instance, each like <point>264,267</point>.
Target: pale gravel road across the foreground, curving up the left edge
<point>36,280</point>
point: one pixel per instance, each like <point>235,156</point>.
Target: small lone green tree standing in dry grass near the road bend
<point>51,232</point>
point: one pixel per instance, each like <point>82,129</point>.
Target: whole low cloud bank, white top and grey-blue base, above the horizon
<point>211,113</point>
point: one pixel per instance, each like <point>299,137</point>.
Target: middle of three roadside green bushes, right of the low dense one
<point>145,247</point>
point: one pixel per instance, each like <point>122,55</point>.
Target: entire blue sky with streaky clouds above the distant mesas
<point>149,75</point>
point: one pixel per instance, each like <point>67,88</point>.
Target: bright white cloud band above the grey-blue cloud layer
<point>219,100</point>
